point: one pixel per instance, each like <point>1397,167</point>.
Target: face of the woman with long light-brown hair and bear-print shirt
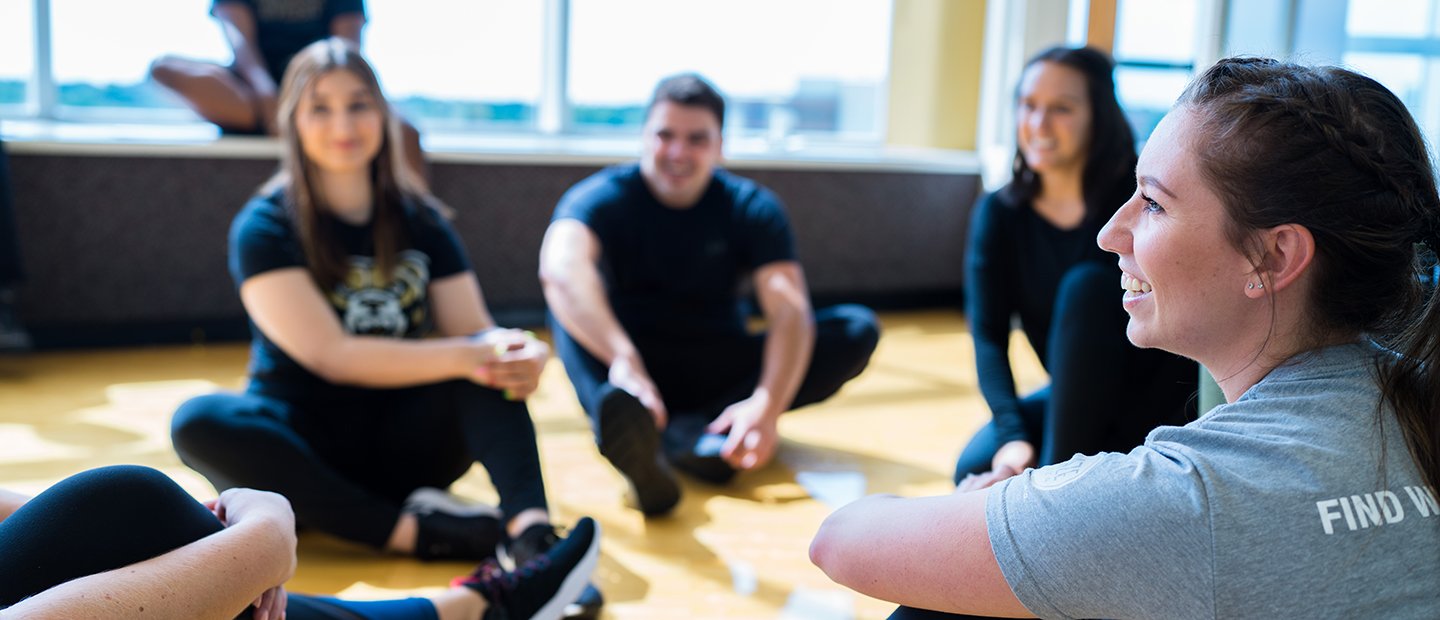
<point>339,123</point>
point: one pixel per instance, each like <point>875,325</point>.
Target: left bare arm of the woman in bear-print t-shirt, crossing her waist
<point>289,309</point>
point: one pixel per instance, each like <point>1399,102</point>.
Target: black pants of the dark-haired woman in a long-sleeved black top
<point>1105,393</point>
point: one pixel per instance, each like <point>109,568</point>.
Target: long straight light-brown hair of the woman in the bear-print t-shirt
<point>394,185</point>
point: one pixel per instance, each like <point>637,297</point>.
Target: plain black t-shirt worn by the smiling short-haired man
<point>679,273</point>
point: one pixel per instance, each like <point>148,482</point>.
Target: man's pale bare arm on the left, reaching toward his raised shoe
<point>575,293</point>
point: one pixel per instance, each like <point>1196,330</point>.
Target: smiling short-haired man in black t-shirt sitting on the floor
<point>643,270</point>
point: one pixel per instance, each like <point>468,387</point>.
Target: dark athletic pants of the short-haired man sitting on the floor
<point>701,378</point>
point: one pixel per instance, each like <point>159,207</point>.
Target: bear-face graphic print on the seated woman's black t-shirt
<point>372,307</point>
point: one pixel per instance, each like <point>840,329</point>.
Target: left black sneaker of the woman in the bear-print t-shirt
<point>450,529</point>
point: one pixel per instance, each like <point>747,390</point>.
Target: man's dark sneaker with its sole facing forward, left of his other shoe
<point>631,444</point>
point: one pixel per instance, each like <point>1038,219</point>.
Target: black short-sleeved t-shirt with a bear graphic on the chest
<point>263,240</point>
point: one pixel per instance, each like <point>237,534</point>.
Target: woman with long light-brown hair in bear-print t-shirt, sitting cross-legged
<point>378,376</point>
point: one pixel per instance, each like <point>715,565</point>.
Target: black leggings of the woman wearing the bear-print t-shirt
<point>348,465</point>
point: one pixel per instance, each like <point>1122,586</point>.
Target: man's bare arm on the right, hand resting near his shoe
<point>752,424</point>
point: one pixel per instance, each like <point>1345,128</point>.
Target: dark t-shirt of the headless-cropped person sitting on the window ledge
<point>284,28</point>
